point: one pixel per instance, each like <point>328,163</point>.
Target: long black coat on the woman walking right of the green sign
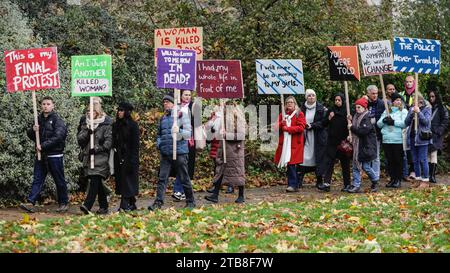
<point>126,157</point>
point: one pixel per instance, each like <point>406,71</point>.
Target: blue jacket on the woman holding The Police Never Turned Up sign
<point>424,125</point>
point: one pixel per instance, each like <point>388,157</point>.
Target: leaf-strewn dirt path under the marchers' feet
<point>253,196</point>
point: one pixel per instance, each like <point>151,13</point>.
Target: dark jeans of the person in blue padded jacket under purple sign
<point>181,165</point>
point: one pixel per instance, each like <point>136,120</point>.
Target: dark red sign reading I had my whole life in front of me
<point>219,79</point>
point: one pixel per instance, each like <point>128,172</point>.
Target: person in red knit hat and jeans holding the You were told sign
<point>364,146</point>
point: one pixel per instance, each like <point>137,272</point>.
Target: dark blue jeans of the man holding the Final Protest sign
<point>54,165</point>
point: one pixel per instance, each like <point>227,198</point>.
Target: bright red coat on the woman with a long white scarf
<point>298,124</point>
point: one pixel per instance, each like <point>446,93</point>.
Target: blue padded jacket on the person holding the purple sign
<point>164,140</point>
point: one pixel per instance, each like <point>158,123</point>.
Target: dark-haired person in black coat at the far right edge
<point>439,122</point>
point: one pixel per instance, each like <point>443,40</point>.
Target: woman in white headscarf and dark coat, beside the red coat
<point>315,138</point>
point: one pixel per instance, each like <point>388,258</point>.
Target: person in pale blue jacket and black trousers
<point>391,129</point>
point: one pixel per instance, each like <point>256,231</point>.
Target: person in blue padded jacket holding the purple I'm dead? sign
<point>164,142</point>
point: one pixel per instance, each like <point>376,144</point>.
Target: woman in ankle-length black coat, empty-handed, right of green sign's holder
<point>126,156</point>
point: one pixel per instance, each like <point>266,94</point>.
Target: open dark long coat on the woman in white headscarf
<point>320,134</point>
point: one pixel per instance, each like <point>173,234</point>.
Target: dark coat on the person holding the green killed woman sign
<point>102,145</point>
